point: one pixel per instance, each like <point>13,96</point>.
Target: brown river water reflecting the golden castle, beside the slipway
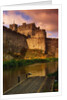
<point>10,77</point>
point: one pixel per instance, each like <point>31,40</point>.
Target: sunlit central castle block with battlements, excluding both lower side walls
<point>36,36</point>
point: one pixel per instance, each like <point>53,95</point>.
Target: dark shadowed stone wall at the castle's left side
<point>13,42</point>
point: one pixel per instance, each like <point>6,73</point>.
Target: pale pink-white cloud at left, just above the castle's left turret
<point>11,17</point>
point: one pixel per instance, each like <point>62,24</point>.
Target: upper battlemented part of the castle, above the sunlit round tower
<point>28,29</point>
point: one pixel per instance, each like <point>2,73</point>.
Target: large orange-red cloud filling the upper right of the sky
<point>47,19</point>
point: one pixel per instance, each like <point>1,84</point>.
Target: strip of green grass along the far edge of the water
<point>18,63</point>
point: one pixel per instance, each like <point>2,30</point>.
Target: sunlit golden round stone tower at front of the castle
<point>37,41</point>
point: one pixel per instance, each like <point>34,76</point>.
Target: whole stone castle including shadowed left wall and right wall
<point>28,36</point>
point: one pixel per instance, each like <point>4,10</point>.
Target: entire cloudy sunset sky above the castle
<point>44,18</point>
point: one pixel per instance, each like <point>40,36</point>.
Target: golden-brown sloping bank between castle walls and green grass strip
<point>28,54</point>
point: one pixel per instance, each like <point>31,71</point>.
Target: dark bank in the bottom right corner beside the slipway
<point>52,82</point>
